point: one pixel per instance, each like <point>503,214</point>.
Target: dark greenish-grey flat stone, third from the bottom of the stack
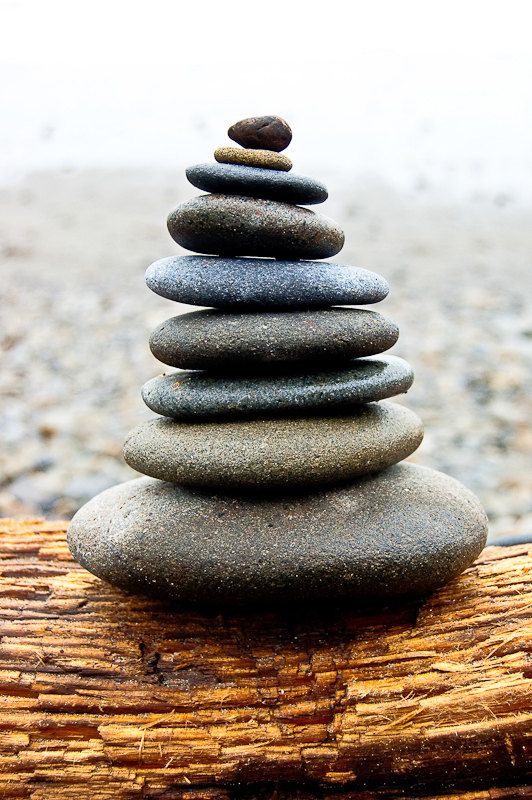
<point>201,395</point>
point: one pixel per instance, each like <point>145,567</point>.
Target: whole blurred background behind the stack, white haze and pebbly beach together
<point>418,118</point>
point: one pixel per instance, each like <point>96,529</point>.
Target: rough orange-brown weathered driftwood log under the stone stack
<point>106,695</point>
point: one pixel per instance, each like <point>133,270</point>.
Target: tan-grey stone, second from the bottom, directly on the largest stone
<point>271,453</point>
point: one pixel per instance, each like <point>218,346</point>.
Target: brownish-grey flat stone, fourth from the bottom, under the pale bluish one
<point>216,339</point>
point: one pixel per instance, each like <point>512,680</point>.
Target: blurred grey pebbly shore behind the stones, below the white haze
<point>76,316</point>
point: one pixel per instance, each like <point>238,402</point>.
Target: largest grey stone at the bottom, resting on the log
<point>407,530</point>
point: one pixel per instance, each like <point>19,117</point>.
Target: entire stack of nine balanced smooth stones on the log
<point>274,469</point>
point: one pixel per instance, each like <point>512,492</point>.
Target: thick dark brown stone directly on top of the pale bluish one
<point>245,226</point>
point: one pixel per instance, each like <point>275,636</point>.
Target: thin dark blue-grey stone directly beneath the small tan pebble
<point>267,184</point>
